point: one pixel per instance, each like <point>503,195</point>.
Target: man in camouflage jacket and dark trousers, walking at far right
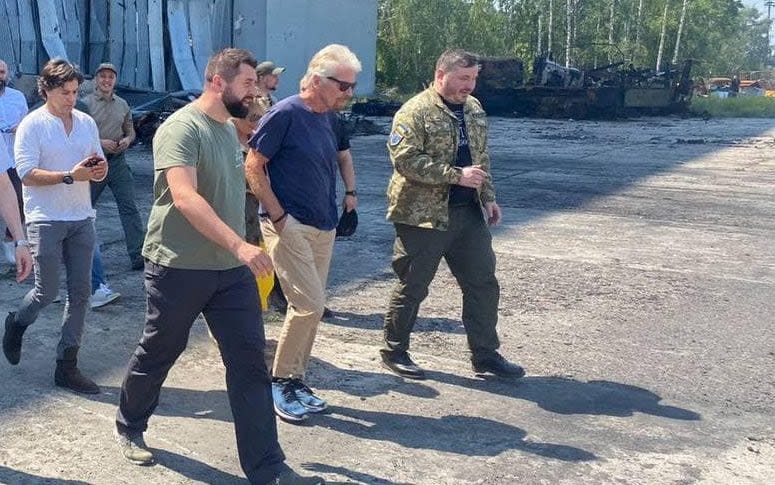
<point>440,187</point>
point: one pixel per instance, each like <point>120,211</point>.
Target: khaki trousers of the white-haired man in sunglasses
<point>301,256</point>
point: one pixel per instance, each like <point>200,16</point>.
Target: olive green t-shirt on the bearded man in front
<point>191,138</point>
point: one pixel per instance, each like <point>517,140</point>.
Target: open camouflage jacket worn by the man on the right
<point>423,149</point>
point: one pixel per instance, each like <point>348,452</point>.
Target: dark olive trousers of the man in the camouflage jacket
<point>467,248</point>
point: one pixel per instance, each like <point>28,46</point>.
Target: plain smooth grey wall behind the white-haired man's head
<point>296,29</point>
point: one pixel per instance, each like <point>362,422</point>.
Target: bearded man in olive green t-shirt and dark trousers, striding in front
<point>198,261</point>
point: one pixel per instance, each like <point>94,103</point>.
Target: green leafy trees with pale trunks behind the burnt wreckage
<point>723,36</point>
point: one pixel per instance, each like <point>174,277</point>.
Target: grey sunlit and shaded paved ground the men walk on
<point>637,267</point>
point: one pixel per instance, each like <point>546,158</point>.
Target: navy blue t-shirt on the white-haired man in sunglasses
<point>301,146</point>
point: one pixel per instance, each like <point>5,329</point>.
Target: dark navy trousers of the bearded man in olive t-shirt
<point>229,301</point>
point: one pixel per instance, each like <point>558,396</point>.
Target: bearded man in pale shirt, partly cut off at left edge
<point>13,107</point>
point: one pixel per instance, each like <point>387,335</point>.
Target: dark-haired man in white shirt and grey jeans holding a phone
<point>57,154</point>
